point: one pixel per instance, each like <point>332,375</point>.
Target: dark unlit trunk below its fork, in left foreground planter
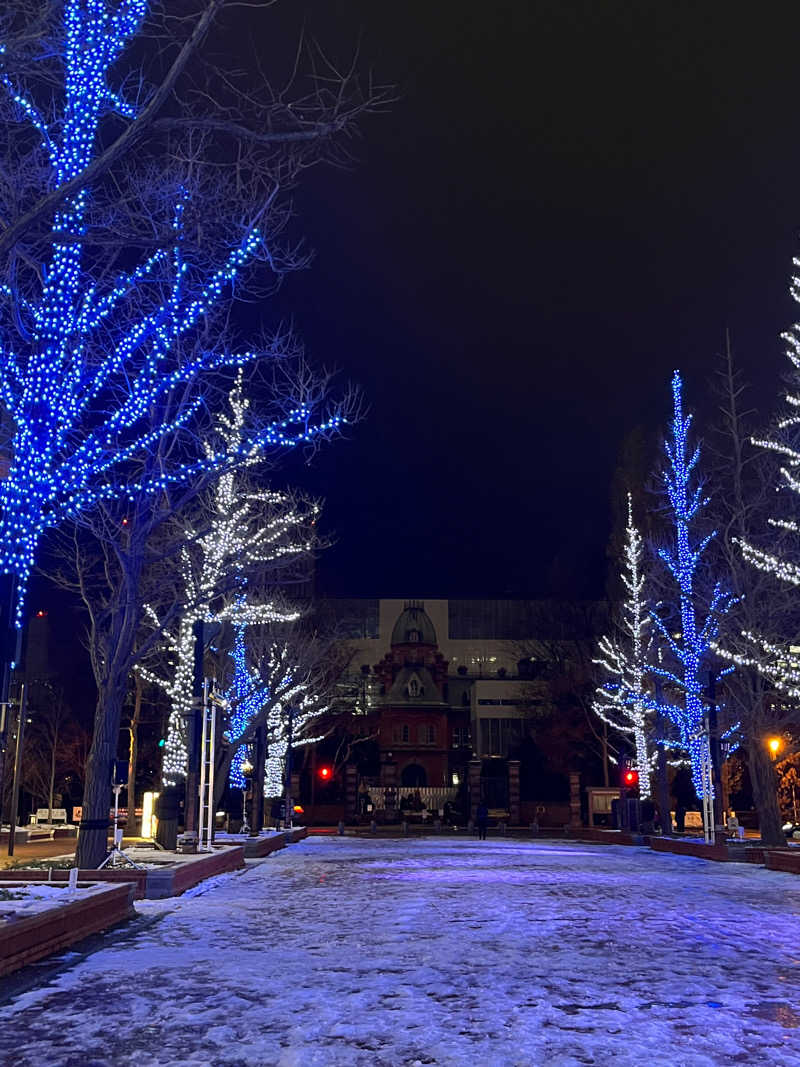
<point>94,829</point>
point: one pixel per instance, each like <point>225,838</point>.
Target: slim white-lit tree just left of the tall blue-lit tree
<point>621,700</point>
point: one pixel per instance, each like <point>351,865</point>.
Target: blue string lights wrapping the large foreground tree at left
<point>81,397</point>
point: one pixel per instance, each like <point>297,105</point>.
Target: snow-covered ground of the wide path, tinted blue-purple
<point>439,951</point>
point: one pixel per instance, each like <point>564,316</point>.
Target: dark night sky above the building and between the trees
<point>568,201</point>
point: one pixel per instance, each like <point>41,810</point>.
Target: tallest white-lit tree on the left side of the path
<point>248,531</point>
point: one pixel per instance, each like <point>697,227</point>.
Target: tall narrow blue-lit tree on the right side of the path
<point>687,634</point>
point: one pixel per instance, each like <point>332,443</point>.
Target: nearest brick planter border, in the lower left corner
<point>26,941</point>
